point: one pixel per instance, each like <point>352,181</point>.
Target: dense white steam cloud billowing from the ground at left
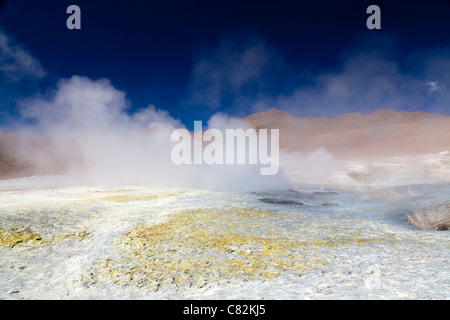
<point>93,137</point>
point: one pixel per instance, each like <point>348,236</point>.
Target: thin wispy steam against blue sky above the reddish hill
<point>250,74</point>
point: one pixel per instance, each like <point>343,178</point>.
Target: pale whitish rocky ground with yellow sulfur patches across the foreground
<point>59,242</point>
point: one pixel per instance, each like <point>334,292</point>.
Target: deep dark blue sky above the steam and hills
<point>149,49</point>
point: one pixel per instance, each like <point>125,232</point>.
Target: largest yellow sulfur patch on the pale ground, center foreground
<point>196,247</point>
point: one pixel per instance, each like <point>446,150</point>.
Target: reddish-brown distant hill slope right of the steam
<point>379,134</point>
